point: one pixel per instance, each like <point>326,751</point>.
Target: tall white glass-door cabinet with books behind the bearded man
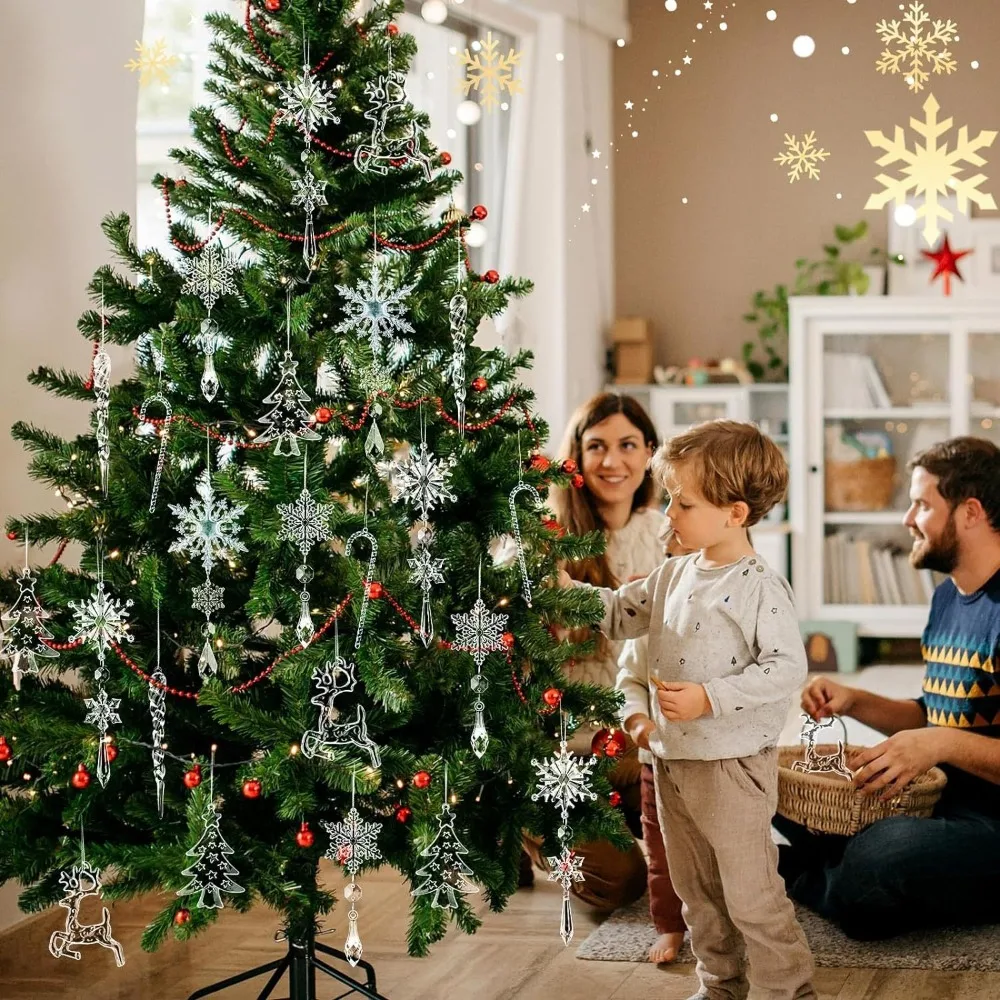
<point>938,365</point>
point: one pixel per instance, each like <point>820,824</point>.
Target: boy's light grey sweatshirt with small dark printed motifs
<point>730,628</point>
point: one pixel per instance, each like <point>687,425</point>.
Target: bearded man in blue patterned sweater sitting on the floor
<point>903,873</point>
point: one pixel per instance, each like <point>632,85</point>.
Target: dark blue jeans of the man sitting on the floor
<point>898,874</point>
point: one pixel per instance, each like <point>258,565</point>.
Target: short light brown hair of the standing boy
<point>734,462</point>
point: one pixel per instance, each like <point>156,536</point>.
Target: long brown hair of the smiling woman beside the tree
<point>576,509</point>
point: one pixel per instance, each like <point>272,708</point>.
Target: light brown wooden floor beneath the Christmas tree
<point>517,955</point>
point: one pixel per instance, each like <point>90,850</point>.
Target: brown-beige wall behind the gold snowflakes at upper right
<point>707,136</point>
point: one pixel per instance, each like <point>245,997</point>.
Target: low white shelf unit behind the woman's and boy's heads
<point>675,408</point>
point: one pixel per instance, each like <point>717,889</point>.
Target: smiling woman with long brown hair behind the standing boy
<point>611,438</point>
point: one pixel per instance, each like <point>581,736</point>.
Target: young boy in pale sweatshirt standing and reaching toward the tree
<point>724,659</point>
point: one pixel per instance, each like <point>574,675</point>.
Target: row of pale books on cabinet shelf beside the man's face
<point>866,571</point>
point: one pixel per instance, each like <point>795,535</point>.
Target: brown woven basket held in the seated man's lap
<point>828,803</point>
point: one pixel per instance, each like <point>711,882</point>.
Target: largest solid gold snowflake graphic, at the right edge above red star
<point>931,170</point>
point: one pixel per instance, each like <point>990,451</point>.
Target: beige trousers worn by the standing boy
<point>716,821</point>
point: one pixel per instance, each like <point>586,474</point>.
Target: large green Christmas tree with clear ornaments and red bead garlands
<point>241,568</point>
